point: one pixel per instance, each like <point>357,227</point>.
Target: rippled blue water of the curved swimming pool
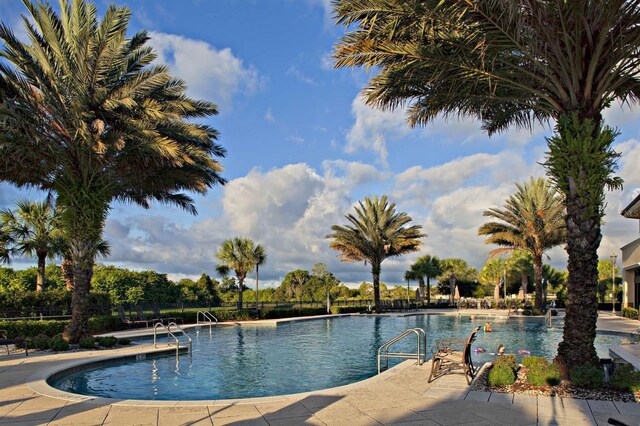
<point>242,362</point>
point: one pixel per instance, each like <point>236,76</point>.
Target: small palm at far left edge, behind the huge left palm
<point>35,229</point>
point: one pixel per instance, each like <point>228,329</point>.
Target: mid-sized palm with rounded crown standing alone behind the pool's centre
<point>375,233</point>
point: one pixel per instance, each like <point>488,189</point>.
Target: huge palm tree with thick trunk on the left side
<point>87,117</point>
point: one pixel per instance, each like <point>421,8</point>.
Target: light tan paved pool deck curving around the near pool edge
<point>398,396</point>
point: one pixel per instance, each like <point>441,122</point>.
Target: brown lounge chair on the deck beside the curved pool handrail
<point>453,354</point>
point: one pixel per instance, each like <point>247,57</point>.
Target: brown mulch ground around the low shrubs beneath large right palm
<point>564,389</point>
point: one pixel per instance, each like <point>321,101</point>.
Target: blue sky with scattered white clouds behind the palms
<point>303,149</point>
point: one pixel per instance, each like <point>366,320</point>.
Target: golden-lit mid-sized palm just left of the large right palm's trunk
<point>532,219</point>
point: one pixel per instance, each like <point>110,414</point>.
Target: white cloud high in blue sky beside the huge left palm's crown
<point>213,74</point>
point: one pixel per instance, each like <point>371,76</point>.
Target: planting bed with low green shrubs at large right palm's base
<point>536,376</point>
